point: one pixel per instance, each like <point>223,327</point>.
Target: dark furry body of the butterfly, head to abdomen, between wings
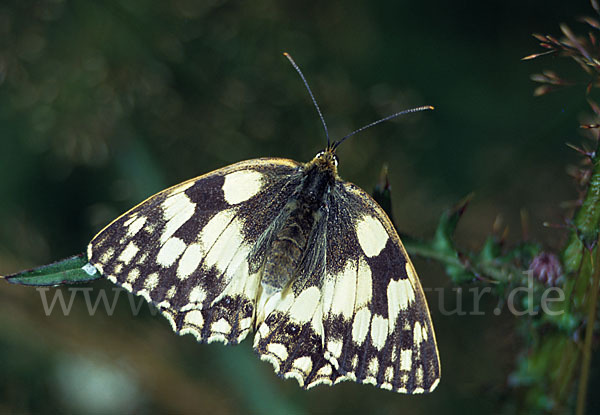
<point>303,211</point>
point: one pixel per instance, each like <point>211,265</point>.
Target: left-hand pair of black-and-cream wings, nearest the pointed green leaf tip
<point>185,249</point>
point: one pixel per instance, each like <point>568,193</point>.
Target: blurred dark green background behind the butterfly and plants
<point>104,103</point>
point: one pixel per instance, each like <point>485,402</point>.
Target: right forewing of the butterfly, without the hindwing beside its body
<point>390,341</point>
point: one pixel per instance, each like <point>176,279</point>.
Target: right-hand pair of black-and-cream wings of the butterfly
<point>364,317</point>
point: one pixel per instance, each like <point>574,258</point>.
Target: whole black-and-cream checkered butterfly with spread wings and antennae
<point>289,251</point>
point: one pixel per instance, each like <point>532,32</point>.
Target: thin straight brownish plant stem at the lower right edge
<point>589,331</point>
